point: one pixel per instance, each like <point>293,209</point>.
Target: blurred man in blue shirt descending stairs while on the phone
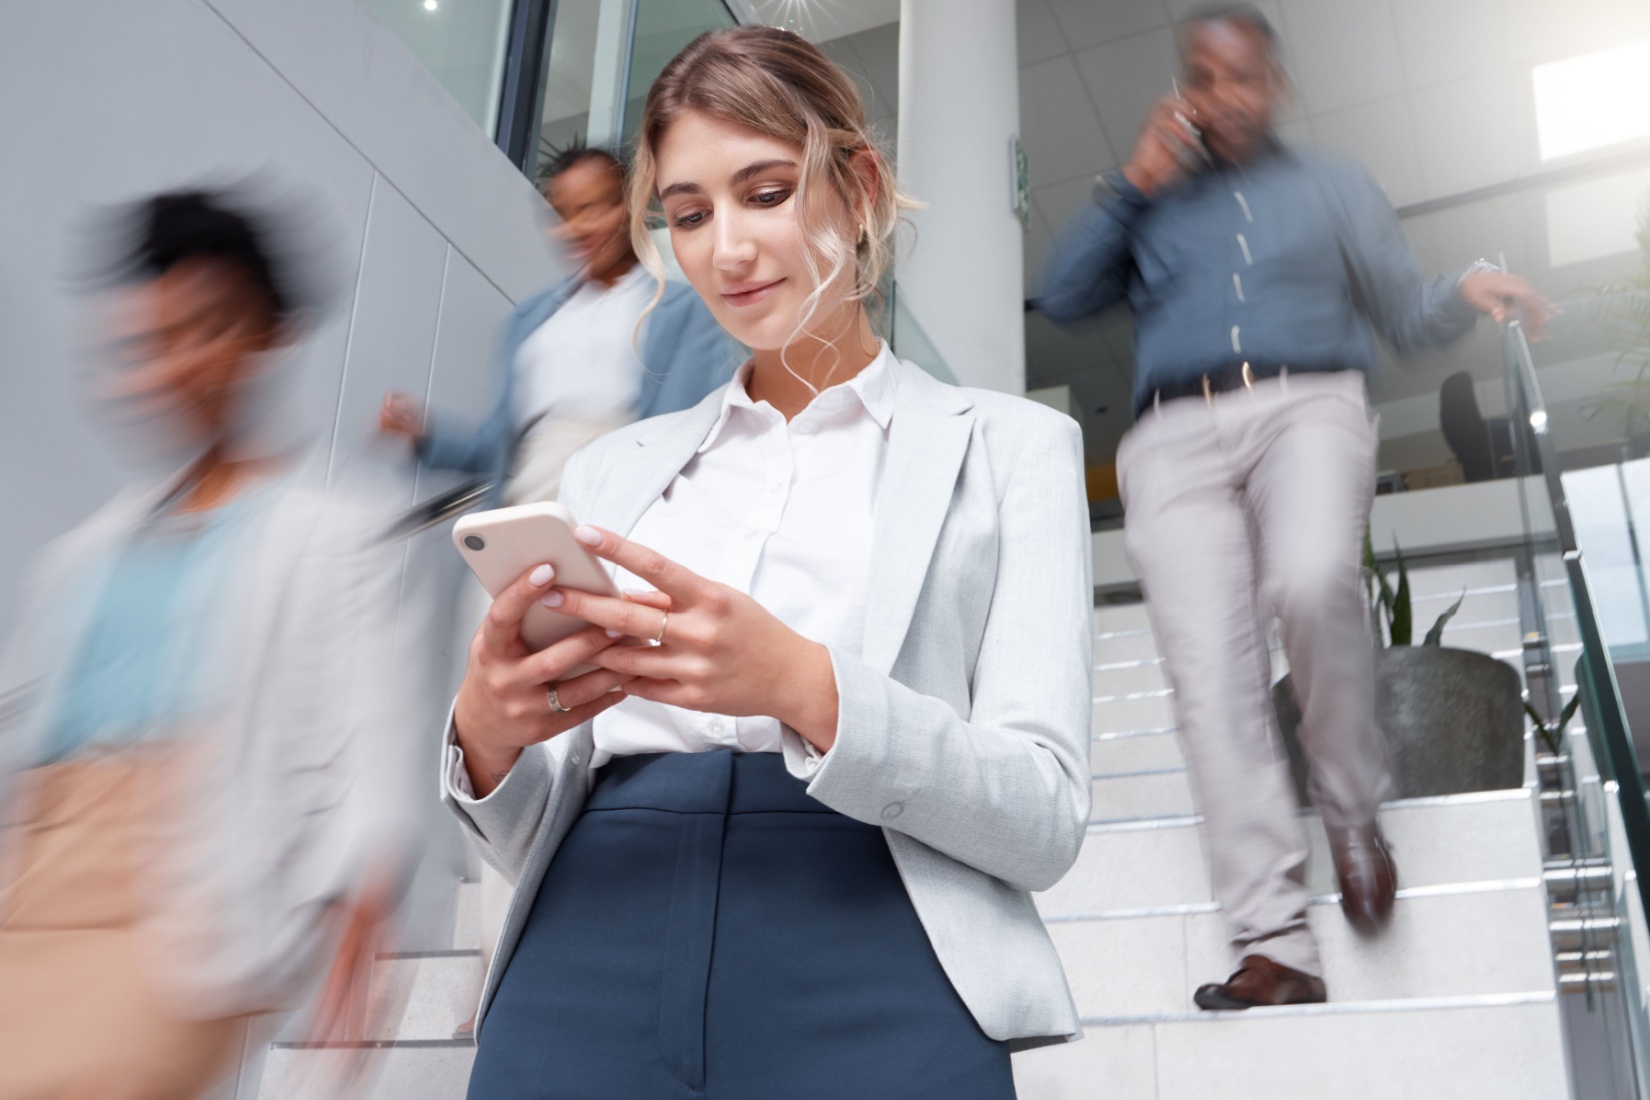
<point>1256,276</point>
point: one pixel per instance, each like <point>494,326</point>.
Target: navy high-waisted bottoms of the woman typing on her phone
<point>710,931</point>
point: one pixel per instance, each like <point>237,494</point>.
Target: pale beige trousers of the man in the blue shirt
<point>1238,509</point>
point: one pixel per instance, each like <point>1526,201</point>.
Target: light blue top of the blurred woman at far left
<point>156,652</point>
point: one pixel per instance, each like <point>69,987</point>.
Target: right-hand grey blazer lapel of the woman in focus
<point>928,440</point>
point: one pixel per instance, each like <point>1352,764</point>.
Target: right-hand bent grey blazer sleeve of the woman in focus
<point>1007,789</point>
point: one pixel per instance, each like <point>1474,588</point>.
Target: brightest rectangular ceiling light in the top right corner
<point>1593,101</point>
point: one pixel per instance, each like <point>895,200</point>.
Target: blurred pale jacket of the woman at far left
<point>313,779</point>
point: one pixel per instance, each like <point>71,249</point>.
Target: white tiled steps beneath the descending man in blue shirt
<point>1456,1000</point>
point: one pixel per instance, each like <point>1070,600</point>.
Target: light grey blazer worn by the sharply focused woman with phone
<point>964,731</point>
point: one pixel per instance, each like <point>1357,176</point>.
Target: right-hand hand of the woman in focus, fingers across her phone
<point>722,652</point>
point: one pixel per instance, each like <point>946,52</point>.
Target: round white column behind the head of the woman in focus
<point>959,106</point>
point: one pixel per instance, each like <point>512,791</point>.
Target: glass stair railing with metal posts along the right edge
<point>1586,593</point>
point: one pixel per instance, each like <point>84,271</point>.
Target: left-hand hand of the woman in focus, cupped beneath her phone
<point>504,703</point>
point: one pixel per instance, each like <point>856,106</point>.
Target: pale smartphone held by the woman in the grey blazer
<point>504,543</point>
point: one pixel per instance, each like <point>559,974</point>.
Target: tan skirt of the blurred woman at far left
<point>80,1018</point>
